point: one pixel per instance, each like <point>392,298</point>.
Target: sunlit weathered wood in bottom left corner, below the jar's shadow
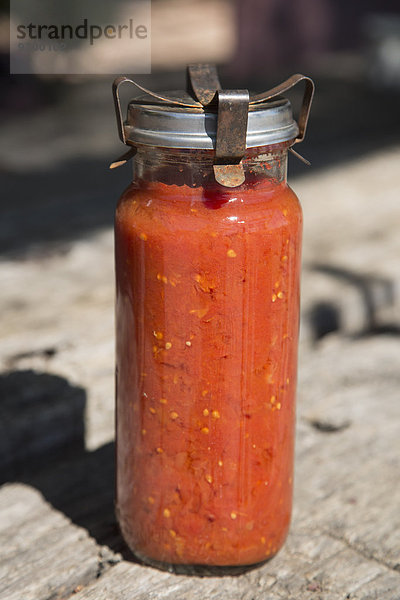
<point>42,555</point>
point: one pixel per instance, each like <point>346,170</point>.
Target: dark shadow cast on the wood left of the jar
<point>42,443</point>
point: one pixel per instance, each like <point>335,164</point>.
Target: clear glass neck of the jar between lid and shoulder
<point>194,168</point>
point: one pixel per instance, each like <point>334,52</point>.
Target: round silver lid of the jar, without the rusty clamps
<point>156,123</point>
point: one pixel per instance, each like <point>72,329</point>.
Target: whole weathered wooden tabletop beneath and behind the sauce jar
<point>57,526</point>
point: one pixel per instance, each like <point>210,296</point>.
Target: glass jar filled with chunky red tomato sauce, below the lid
<point>207,315</point>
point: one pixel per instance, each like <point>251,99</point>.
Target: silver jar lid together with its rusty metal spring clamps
<point>208,117</point>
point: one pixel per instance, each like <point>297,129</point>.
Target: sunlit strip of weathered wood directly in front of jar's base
<point>324,568</point>
